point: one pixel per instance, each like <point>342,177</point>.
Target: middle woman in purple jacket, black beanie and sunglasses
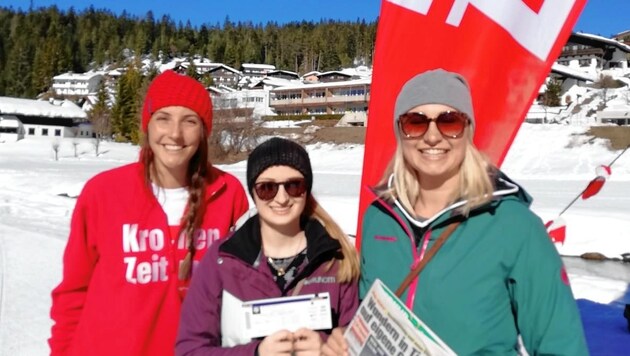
<point>291,247</point>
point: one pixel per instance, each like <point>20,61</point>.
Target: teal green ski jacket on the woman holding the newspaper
<point>497,276</point>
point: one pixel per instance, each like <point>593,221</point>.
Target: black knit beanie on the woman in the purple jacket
<point>278,152</point>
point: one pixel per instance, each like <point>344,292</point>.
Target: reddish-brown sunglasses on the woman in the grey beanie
<point>451,124</point>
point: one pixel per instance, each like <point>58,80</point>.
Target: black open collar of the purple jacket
<point>246,242</point>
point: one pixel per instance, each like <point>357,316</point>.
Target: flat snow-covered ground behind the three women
<point>553,162</point>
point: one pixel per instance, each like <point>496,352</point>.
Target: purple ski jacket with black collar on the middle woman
<point>238,266</point>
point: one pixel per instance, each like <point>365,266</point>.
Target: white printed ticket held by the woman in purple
<point>266,316</point>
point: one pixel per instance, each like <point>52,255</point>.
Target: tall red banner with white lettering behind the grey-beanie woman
<point>504,48</point>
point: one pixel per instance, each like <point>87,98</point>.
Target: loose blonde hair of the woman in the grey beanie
<point>475,185</point>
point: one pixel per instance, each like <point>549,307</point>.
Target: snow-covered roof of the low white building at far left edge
<point>28,107</point>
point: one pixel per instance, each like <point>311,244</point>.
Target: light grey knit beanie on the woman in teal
<point>435,87</point>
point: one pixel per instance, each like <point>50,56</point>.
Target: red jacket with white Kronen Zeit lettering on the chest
<point>120,294</point>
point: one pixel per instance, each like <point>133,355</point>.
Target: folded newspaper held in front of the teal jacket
<point>384,326</point>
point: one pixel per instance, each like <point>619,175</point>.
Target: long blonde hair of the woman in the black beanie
<point>349,264</point>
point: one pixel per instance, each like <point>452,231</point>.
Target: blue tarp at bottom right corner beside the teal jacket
<point>605,327</point>
